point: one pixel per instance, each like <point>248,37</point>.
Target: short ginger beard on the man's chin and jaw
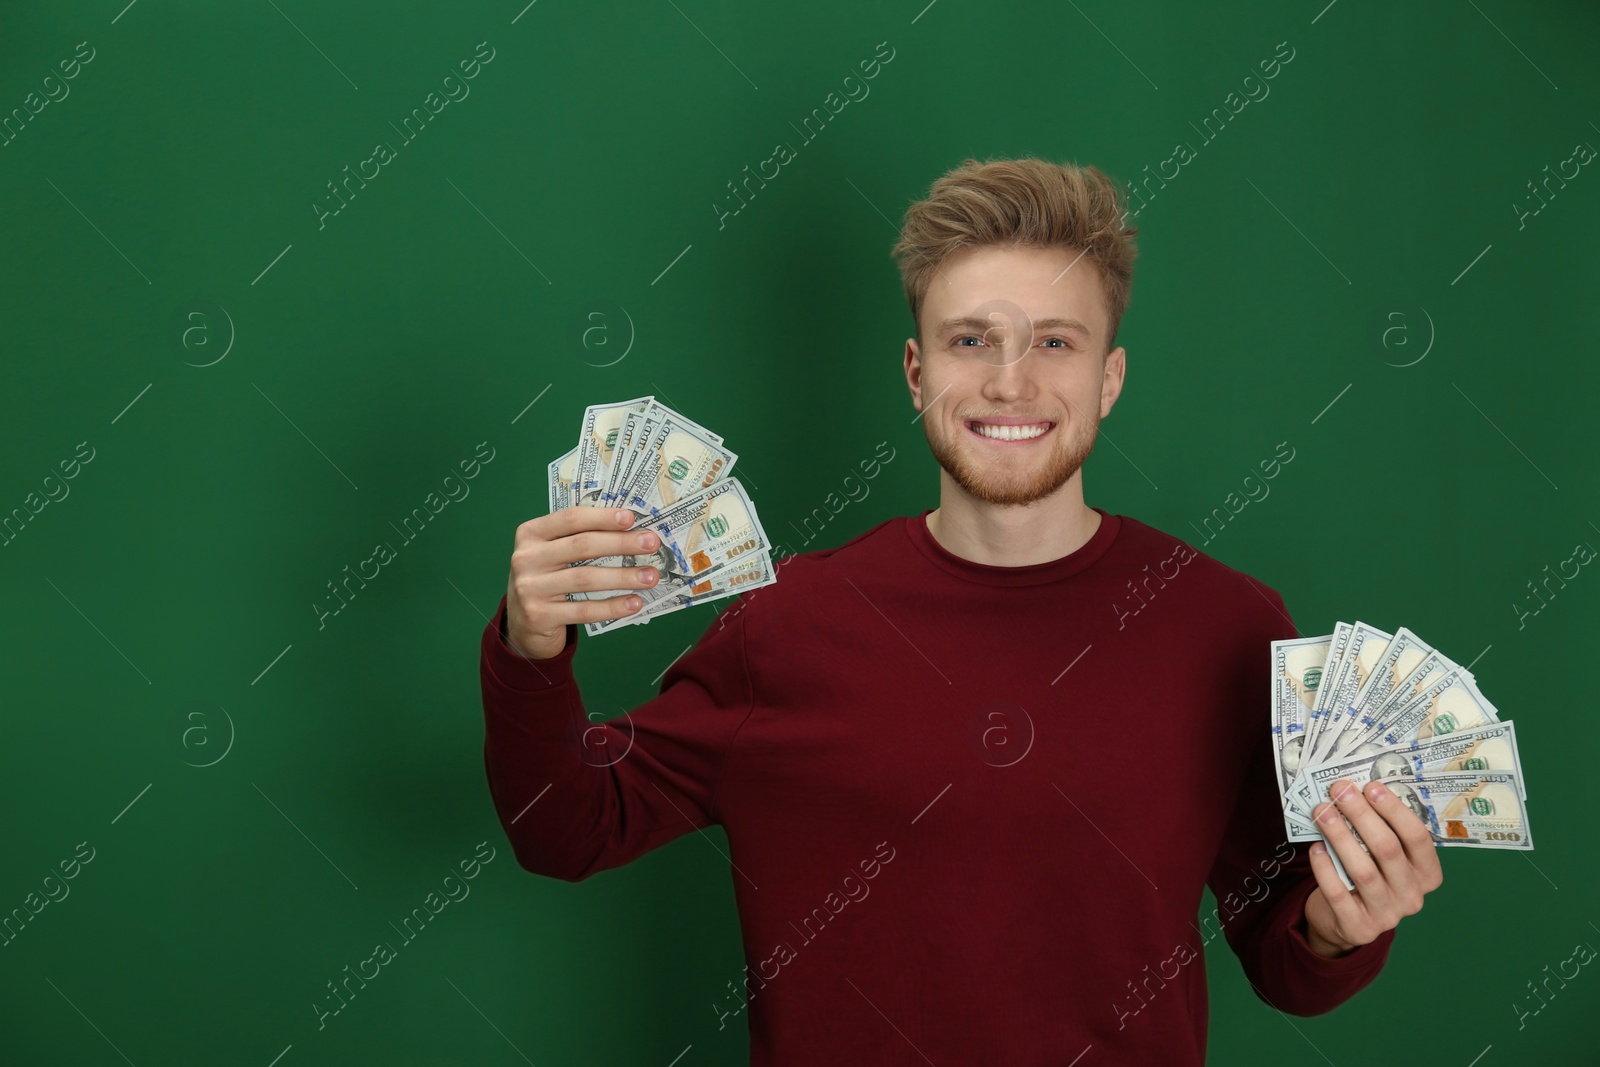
<point>1022,479</point>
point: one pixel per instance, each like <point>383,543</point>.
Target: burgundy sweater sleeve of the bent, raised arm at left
<point>577,796</point>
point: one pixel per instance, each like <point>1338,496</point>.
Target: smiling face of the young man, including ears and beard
<point>1014,338</point>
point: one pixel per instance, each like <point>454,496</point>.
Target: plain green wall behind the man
<point>345,764</point>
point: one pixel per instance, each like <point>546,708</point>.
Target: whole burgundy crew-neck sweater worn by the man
<point>970,809</point>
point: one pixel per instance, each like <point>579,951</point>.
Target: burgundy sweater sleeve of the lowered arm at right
<point>1262,881</point>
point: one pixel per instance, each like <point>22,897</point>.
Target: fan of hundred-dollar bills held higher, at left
<point>673,474</point>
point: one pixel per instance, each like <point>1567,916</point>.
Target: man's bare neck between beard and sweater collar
<point>1017,535</point>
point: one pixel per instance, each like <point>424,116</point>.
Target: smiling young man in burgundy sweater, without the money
<point>977,765</point>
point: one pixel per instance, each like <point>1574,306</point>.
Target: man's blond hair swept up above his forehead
<point>1026,202</point>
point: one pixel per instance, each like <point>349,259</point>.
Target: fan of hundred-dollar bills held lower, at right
<point>1366,706</point>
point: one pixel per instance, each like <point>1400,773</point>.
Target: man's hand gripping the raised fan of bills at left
<point>537,605</point>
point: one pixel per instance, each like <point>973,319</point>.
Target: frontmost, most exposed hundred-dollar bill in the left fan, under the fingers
<point>705,533</point>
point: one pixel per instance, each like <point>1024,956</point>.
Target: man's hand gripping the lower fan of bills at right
<point>1391,876</point>
